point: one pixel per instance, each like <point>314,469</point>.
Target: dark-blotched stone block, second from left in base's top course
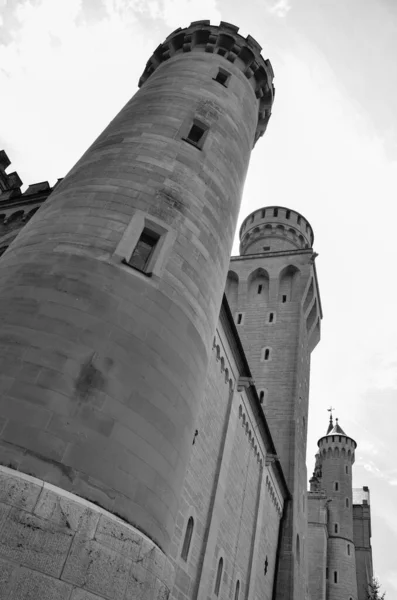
<point>63,511</point>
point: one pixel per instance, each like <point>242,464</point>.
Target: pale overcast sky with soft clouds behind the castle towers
<point>330,152</point>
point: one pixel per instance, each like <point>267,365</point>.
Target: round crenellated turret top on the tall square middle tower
<point>275,228</point>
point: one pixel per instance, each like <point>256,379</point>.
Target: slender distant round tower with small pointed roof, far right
<point>336,451</point>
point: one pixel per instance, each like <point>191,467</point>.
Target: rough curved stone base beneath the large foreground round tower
<point>57,546</point>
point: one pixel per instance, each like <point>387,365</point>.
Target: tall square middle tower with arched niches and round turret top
<point>273,293</point>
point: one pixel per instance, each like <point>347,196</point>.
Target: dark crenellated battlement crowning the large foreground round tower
<point>224,40</point>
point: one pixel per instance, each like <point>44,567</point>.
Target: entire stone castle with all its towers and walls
<point>152,427</point>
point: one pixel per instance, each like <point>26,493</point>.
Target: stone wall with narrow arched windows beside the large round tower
<point>232,495</point>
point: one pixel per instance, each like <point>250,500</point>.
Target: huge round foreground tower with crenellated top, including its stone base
<point>109,300</point>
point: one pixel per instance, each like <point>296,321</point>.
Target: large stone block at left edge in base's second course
<point>34,542</point>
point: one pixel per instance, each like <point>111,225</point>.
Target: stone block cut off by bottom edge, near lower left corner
<point>30,585</point>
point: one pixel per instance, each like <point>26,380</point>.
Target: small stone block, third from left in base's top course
<point>119,537</point>
